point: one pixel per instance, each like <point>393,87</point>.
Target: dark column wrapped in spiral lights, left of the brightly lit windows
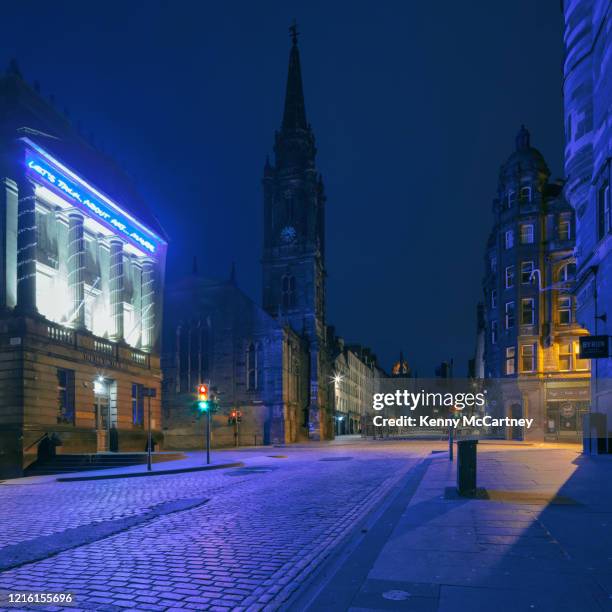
<point>26,247</point>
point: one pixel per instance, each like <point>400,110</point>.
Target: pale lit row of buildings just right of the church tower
<point>355,380</point>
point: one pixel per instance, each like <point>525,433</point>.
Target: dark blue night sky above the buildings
<point>414,106</point>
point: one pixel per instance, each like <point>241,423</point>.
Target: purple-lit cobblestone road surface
<point>261,532</point>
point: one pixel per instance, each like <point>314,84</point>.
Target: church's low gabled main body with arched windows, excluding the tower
<point>256,365</point>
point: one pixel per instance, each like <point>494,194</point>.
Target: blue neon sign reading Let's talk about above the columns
<point>97,207</point>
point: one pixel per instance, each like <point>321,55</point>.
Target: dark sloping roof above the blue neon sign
<point>24,112</point>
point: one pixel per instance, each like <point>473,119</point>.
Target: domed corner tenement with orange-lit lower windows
<point>531,332</point>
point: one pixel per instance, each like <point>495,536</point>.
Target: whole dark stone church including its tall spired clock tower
<point>270,364</point>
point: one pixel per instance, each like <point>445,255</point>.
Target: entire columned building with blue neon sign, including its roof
<point>82,267</point>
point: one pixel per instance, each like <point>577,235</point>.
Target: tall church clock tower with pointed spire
<point>294,240</point>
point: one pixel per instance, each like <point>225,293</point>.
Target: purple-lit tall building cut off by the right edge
<point>587,88</point>
